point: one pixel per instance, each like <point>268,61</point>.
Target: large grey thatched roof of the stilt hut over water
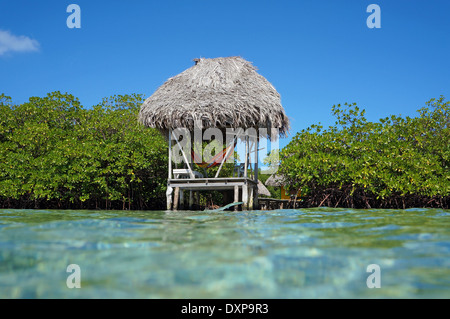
<point>220,92</point>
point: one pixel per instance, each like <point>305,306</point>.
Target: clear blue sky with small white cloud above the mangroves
<point>315,53</point>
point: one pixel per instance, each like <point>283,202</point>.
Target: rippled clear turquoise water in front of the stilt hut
<point>305,253</point>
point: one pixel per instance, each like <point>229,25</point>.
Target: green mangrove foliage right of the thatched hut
<point>395,162</point>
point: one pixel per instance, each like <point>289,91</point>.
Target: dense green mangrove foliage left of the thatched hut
<point>56,154</point>
